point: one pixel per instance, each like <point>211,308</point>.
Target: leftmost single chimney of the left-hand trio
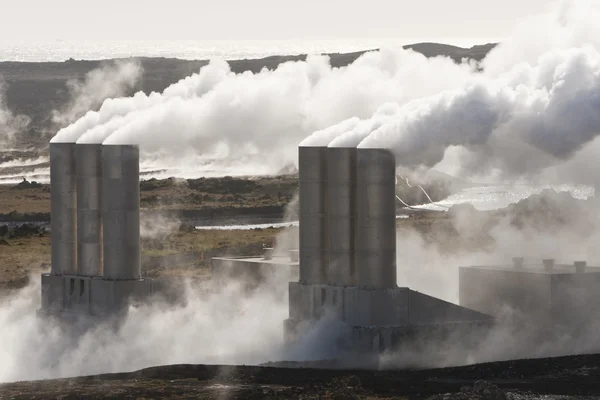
<point>63,200</point>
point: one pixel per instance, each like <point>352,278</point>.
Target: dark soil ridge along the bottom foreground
<point>565,377</point>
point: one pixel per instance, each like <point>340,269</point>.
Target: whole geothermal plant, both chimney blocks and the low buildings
<point>345,266</point>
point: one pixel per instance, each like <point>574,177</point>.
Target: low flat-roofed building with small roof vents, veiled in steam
<point>545,294</point>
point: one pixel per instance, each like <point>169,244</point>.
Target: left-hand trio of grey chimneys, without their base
<point>95,199</point>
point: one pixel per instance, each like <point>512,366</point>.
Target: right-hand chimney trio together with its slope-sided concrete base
<point>347,256</point>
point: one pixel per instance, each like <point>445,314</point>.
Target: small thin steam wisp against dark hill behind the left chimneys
<point>105,82</point>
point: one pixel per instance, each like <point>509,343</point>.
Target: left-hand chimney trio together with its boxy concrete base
<point>95,230</point>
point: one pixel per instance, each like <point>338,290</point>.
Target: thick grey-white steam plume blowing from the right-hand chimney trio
<point>520,122</point>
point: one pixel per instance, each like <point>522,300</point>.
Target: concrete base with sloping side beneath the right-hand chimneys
<point>379,320</point>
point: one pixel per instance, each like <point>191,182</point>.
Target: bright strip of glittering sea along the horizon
<point>61,50</point>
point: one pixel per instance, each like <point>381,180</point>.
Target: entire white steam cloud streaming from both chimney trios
<point>533,105</point>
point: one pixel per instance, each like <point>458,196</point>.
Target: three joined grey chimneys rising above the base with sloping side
<point>347,217</point>
